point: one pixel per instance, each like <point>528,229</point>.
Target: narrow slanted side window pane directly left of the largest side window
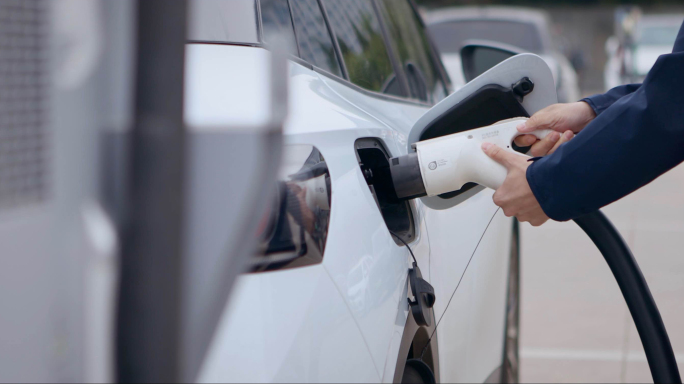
<point>314,40</point>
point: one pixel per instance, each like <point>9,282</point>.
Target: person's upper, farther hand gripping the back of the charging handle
<point>566,119</point>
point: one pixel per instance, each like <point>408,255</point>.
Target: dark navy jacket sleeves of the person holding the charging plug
<point>638,135</point>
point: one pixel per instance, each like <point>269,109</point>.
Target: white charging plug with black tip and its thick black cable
<point>445,164</point>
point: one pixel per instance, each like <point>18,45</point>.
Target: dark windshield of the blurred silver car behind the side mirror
<point>449,36</point>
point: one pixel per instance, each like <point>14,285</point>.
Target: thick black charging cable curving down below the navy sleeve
<point>649,324</point>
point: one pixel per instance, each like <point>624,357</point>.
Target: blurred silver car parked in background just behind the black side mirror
<point>524,28</point>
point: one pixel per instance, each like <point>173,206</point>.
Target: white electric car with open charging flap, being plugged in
<point>327,295</point>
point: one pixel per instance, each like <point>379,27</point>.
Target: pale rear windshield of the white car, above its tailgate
<point>232,21</point>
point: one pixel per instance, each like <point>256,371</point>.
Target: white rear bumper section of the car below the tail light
<point>290,326</point>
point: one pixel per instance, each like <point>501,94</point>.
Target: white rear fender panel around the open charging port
<point>358,241</point>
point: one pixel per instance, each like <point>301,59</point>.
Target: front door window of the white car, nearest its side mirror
<point>410,42</point>
